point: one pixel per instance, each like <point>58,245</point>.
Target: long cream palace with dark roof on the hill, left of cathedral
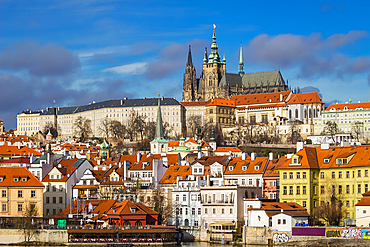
<point>120,110</point>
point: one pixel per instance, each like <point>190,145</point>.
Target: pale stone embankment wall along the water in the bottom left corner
<point>45,236</point>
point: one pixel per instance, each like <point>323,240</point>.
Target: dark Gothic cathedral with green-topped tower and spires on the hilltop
<point>216,82</point>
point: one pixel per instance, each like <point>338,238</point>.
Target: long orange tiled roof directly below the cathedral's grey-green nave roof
<point>262,98</point>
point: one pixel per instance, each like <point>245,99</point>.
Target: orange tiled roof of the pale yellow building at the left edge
<point>8,173</point>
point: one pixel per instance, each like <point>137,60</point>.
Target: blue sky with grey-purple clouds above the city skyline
<point>76,52</point>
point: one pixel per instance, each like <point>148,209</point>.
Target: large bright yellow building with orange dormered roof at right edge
<point>313,175</point>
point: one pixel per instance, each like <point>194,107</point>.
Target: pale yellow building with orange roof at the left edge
<point>19,191</point>
